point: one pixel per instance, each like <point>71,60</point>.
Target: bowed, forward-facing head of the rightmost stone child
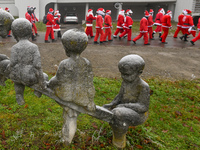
<point>131,66</point>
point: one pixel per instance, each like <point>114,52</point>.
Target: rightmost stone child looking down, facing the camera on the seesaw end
<point>130,106</point>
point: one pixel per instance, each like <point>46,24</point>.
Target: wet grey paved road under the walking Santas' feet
<point>171,41</point>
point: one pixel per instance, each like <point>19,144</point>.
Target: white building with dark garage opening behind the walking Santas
<point>19,7</point>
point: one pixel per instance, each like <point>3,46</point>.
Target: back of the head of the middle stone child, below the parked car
<point>74,41</point>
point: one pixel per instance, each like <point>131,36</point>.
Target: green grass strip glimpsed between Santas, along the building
<point>135,27</point>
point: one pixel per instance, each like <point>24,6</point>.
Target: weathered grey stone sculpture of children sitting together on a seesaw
<point>72,86</point>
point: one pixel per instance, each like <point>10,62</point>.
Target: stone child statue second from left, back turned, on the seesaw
<point>25,62</point>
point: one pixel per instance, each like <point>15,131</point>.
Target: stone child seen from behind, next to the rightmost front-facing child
<point>73,81</point>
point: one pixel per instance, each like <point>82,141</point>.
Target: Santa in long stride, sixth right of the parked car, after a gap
<point>143,29</point>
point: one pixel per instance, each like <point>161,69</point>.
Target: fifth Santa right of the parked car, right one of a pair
<point>127,25</point>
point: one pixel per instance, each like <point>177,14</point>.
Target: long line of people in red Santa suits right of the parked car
<point>125,22</point>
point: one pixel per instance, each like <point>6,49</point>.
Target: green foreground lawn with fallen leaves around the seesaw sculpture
<point>173,123</point>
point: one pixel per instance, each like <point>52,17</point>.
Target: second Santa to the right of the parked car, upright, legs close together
<point>99,25</point>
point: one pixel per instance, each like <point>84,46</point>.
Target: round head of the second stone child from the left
<point>21,29</point>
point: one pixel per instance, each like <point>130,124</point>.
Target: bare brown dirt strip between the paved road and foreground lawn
<point>174,63</point>
